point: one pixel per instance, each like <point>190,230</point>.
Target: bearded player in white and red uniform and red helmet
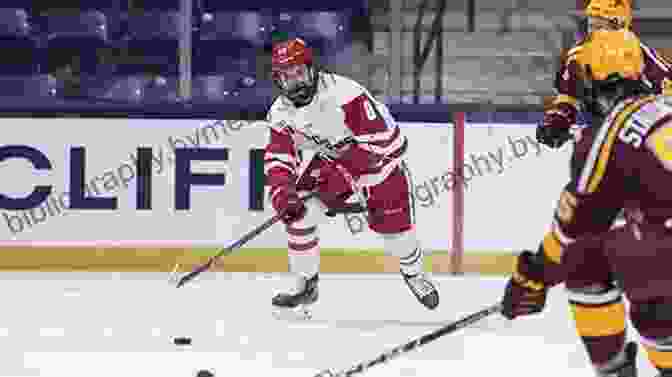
<point>359,153</point>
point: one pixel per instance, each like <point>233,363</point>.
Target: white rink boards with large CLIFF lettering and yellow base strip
<point>507,207</point>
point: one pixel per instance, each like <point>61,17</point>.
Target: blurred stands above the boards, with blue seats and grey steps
<point>183,52</point>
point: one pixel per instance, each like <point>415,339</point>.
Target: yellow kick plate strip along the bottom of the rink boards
<point>246,260</point>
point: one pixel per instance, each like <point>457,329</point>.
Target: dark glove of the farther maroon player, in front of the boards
<point>558,121</point>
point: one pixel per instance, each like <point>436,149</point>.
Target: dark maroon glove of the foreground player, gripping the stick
<point>525,292</point>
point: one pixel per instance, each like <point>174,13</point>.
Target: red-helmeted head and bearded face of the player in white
<point>293,71</point>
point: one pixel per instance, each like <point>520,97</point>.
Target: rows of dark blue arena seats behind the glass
<point>105,50</point>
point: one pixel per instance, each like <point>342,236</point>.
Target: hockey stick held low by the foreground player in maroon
<point>413,344</point>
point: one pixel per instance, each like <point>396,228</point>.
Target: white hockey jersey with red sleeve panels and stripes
<point>343,121</point>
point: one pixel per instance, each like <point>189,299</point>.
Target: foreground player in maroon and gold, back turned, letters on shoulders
<point>626,160</point>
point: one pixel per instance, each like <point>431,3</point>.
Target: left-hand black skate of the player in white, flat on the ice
<point>297,304</point>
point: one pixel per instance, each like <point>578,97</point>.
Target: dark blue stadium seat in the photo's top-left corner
<point>20,50</point>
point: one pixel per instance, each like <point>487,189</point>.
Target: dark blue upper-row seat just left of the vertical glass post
<point>153,40</point>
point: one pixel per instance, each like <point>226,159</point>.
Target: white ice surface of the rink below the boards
<point>122,324</point>
